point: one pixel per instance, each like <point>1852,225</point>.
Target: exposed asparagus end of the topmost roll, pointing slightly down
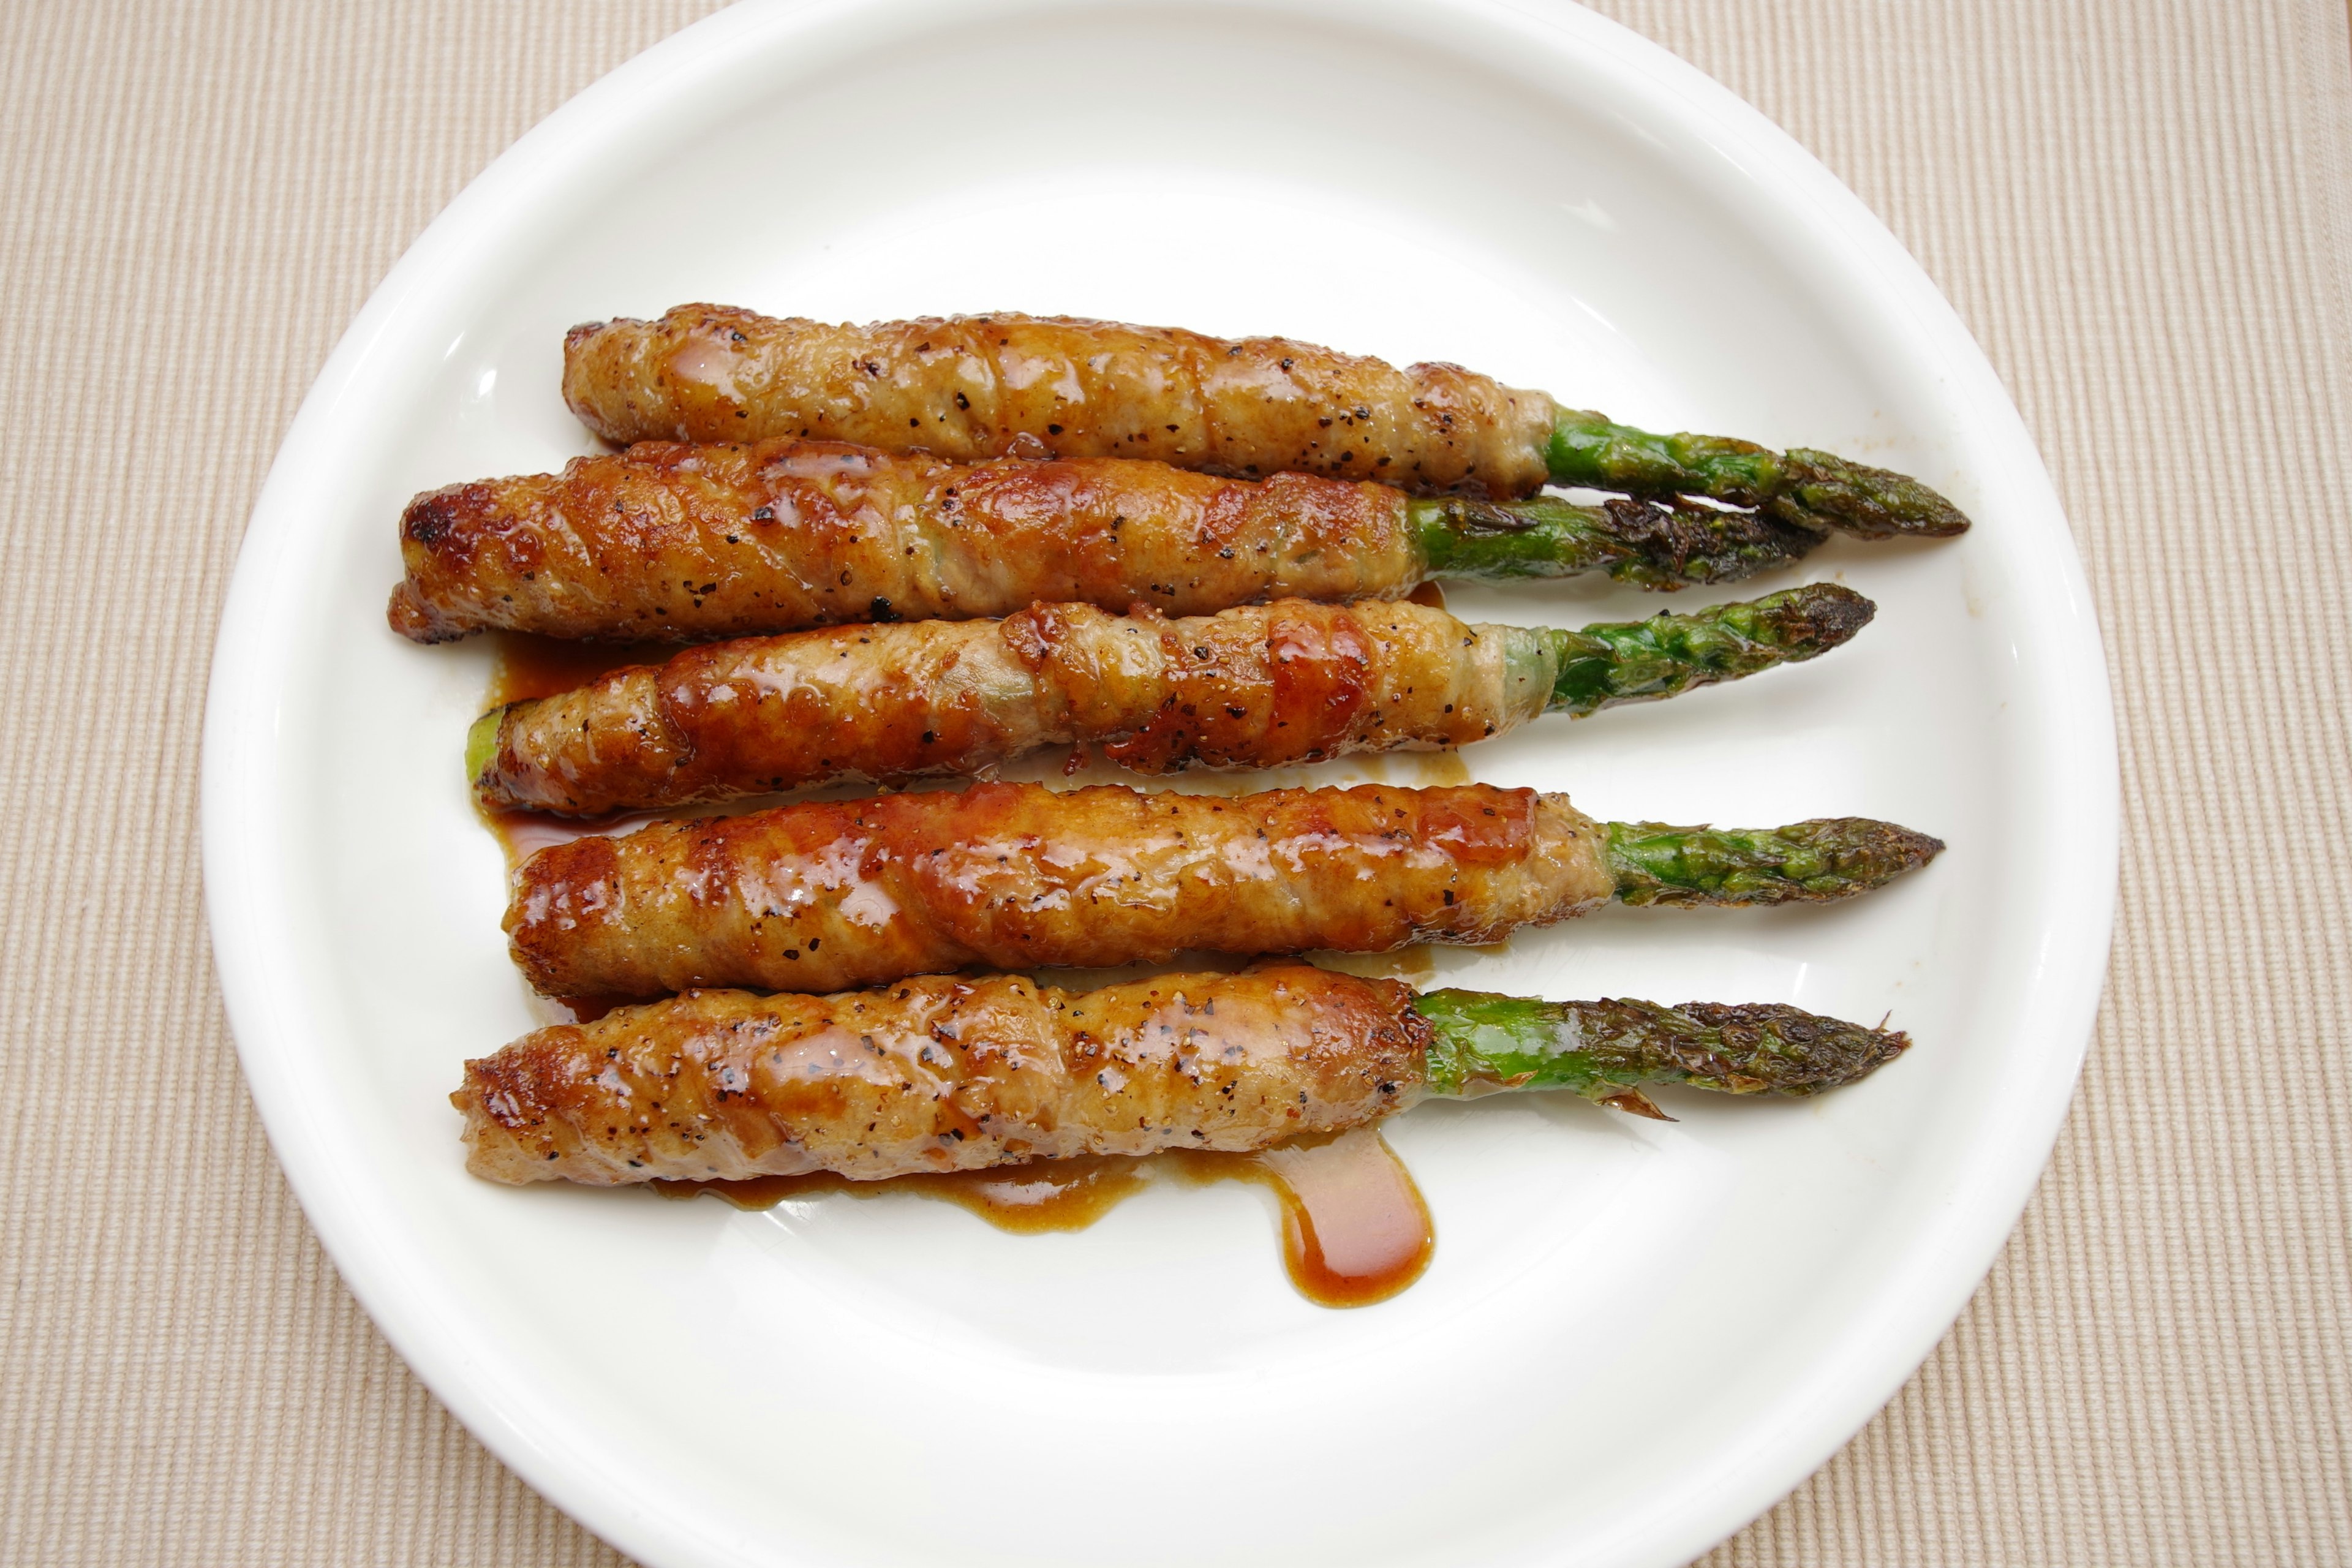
<point>1810,490</point>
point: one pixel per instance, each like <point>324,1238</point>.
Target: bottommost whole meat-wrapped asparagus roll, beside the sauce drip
<point>961,1076</point>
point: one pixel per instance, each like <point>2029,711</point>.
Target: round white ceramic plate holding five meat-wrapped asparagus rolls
<point>1633,1336</point>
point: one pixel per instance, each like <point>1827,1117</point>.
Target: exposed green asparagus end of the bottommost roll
<point>1610,1050</point>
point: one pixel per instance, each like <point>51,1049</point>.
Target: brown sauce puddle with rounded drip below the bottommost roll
<point>1354,1224</point>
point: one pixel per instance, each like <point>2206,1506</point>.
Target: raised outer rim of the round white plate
<point>241,869</point>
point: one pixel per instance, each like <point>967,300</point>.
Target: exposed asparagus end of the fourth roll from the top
<point>1833,857</point>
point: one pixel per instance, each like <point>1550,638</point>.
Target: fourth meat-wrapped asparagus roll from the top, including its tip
<point>841,894</point>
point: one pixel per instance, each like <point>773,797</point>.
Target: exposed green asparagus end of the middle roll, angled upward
<point>1633,662</point>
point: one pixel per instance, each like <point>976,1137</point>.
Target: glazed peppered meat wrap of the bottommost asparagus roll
<point>942,1076</point>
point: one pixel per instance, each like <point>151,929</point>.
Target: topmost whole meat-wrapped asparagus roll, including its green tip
<point>982,387</point>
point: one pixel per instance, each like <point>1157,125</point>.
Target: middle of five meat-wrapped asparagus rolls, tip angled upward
<point>1264,685</point>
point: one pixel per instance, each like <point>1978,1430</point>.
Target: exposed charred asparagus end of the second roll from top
<point>1643,544</point>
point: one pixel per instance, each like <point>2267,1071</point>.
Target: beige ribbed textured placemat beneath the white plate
<point>2144,213</point>
